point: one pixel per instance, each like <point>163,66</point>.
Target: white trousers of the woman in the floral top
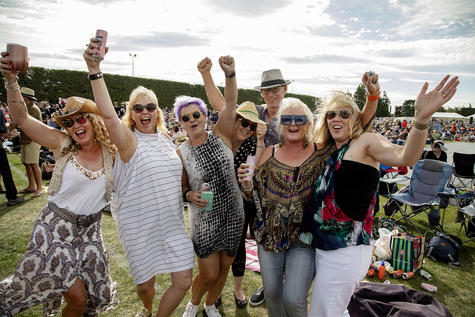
<point>338,272</point>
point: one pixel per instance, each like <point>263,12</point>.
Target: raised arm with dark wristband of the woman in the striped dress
<point>120,134</point>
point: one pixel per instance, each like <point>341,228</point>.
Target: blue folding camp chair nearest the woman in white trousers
<point>428,183</point>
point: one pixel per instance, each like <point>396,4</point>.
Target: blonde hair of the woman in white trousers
<point>337,100</point>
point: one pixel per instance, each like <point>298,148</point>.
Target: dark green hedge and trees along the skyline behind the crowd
<point>52,84</point>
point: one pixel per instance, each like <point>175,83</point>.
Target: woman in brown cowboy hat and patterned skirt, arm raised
<point>66,256</point>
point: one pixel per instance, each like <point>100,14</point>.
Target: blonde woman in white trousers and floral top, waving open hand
<point>337,221</point>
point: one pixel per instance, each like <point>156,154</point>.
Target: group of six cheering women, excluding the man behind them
<point>310,220</point>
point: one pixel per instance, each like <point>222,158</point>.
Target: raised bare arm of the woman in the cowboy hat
<point>35,129</point>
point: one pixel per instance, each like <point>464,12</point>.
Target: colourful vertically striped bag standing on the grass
<point>407,252</point>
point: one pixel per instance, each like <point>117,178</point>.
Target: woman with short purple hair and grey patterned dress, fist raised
<point>207,158</point>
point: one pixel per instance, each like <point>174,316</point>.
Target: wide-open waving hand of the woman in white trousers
<point>428,103</point>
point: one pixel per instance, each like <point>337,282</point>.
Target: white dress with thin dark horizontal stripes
<point>148,208</point>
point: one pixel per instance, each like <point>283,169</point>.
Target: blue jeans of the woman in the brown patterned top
<point>287,277</point>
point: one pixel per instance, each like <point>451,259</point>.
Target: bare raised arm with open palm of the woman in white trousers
<point>426,105</point>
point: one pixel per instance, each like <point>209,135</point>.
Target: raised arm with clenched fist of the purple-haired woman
<point>225,124</point>
